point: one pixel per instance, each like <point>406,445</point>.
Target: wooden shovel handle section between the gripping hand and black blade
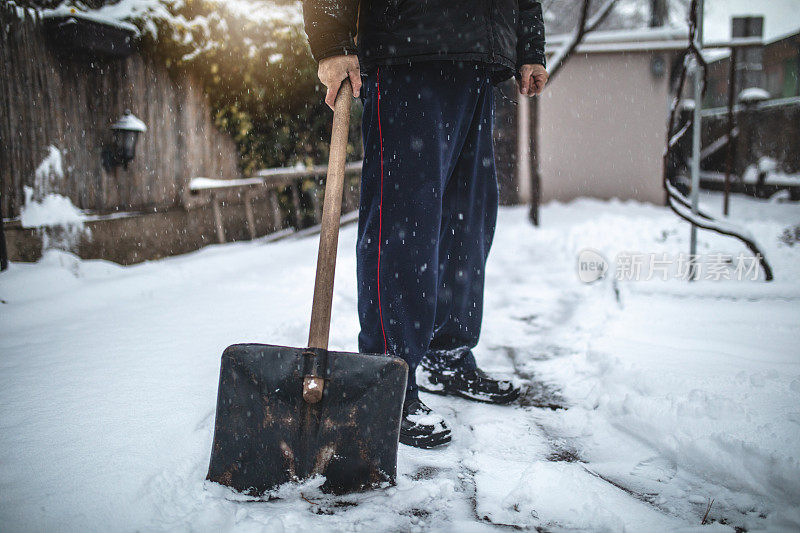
<point>331,213</point>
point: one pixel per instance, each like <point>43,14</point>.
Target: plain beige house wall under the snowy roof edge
<point>602,128</point>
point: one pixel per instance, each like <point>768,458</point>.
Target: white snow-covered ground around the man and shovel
<point>676,393</point>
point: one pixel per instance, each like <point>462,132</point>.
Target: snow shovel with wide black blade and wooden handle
<point>286,414</point>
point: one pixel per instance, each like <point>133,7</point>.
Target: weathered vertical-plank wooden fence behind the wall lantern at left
<point>52,97</point>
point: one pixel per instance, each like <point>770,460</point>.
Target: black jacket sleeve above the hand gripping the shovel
<point>330,26</point>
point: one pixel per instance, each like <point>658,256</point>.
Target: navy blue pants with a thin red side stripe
<point>428,211</point>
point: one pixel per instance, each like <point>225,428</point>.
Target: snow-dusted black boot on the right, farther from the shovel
<point>470,384</point>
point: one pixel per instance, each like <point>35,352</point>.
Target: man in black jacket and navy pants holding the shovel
<point>428,186</point>
